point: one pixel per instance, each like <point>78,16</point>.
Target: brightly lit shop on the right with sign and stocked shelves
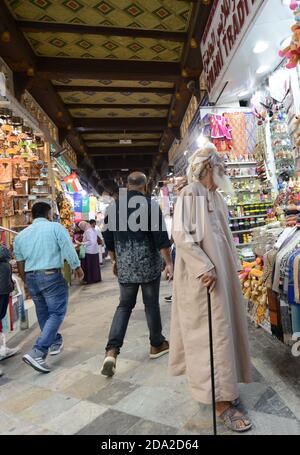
<point>252,117</point>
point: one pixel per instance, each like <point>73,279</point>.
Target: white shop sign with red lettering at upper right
<point>226,27</point>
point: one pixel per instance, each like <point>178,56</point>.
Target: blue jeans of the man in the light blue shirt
<point>50,296</point>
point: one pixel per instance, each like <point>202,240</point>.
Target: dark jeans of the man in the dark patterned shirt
<point>128,295</point>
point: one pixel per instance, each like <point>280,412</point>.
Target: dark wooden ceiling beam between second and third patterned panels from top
<point>106,69</point>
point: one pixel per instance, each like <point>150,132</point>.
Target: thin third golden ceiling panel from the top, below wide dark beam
<point>115,83</point>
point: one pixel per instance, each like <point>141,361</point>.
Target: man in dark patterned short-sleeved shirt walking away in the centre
<point>137,241</point>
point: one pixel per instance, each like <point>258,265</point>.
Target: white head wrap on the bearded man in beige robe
<point>207,153</point>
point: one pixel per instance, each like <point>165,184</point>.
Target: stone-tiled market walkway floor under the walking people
<point>141,398</point>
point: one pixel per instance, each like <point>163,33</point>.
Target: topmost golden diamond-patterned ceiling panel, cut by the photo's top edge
<point>168,15</point>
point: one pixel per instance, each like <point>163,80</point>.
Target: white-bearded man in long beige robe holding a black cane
<point>206,258</point>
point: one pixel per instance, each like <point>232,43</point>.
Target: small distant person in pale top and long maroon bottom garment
<point>90,263</point>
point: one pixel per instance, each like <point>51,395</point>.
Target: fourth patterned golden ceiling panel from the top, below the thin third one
<point>114,98</point>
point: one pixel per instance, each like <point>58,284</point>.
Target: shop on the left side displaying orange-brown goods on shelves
<point>24,179</point>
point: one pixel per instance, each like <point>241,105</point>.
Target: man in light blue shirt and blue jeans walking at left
<point>40,252</point>
